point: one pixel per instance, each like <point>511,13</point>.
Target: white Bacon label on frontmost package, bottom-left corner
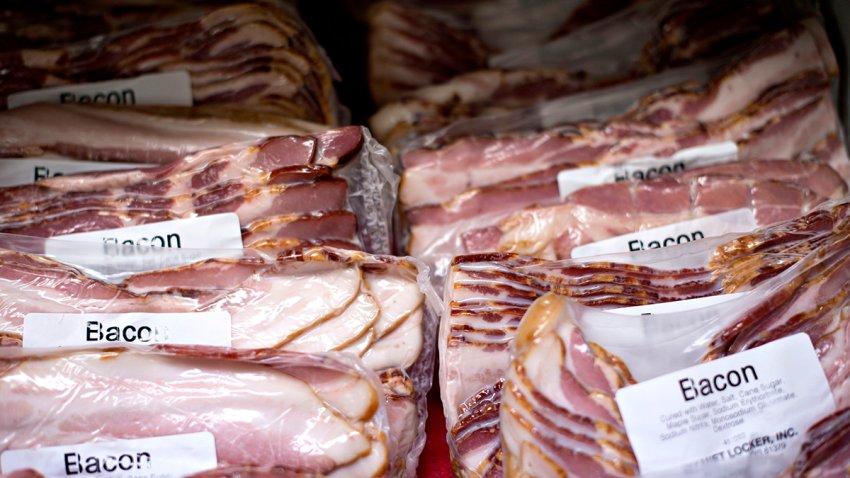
<point>165,456</point>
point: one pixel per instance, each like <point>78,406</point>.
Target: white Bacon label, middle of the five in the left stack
<point>151,246</point>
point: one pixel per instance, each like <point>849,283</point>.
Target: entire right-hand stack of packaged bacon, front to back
<point>704,187</point>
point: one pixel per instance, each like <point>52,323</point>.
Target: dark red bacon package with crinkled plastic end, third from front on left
<point>334,185</point>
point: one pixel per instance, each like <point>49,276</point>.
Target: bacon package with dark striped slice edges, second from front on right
<point>488,294</point>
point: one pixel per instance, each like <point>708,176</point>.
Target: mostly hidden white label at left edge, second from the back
<point>17,171</point>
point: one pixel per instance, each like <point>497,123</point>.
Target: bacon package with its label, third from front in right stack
<point>690,204</point>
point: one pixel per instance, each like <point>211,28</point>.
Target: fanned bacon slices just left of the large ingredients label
<point>576,381</point>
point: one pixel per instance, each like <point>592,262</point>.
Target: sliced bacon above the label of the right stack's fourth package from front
<point>477,162</point>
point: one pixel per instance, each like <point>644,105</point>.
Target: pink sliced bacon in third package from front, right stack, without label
<point>596,213</point>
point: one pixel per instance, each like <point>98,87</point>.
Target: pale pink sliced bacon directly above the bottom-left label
<point>331,405</point>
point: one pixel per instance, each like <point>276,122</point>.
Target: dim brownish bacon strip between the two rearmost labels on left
<point>143,134</point>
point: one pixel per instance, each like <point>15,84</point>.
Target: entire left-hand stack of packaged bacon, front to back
<point>195,275</point>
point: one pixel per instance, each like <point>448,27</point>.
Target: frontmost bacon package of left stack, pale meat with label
<point>180,410</point>
